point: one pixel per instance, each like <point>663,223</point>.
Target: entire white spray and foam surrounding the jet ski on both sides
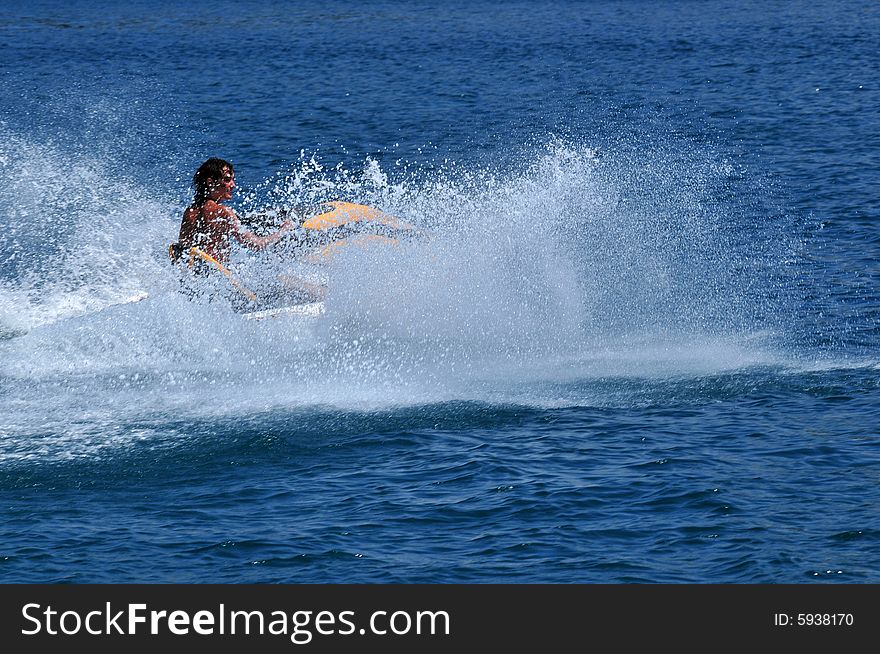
<point>575,263</point>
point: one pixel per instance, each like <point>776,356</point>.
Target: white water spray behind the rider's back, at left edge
<point>75,239</point>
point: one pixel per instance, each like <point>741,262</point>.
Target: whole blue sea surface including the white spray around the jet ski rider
<point>640,343</point>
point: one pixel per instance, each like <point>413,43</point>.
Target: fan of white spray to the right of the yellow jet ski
<point>570,260</point>
